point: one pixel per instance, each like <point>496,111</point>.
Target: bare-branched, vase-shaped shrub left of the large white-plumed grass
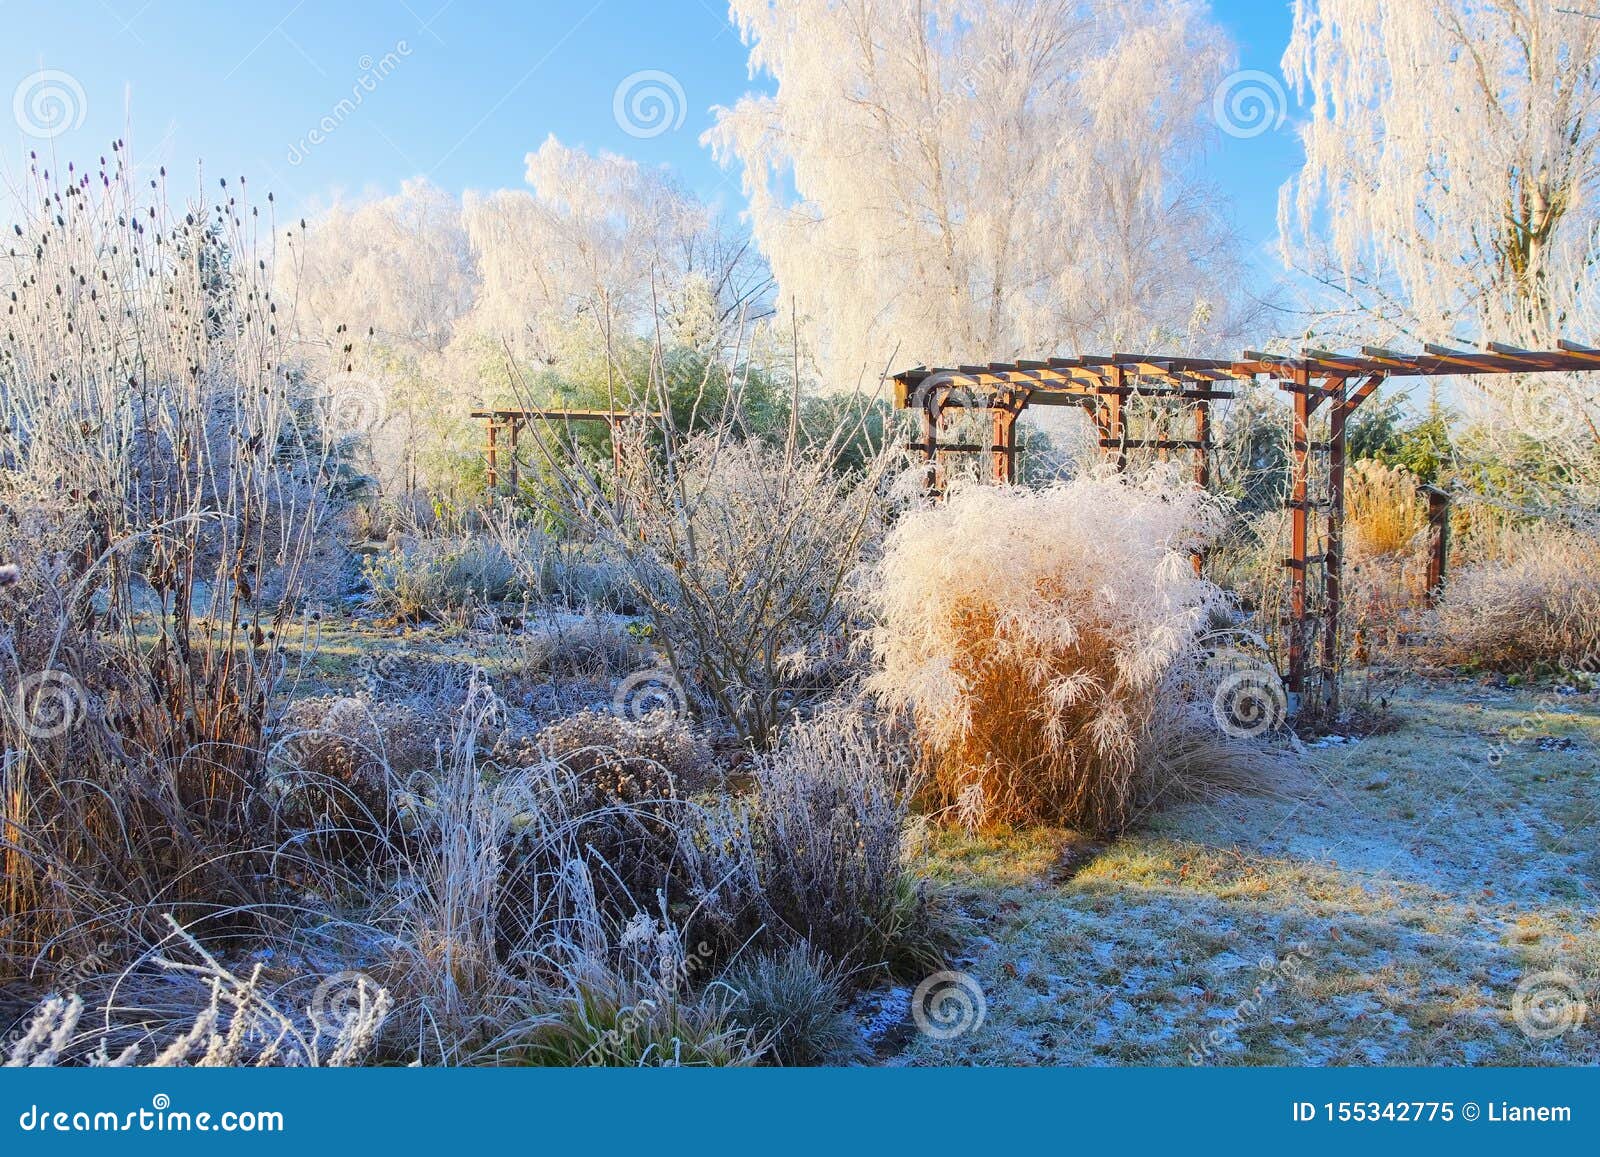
<point>740,553</point>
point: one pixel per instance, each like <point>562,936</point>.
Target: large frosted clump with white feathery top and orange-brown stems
<point>1033,636</point>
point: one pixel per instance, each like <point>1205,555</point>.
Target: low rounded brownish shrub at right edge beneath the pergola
<point>1537,604</point>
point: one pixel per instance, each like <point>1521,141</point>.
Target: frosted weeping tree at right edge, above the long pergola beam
<point>1452,166</point>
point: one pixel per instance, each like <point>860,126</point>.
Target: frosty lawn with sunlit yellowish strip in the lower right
<point>1385,918</point>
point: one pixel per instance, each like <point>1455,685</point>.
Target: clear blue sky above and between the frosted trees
<point>470,89</point>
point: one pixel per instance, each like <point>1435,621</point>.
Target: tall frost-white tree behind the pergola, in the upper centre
<point>978,178</point>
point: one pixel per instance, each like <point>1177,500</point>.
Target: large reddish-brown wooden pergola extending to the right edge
<point>1324,390</point>
